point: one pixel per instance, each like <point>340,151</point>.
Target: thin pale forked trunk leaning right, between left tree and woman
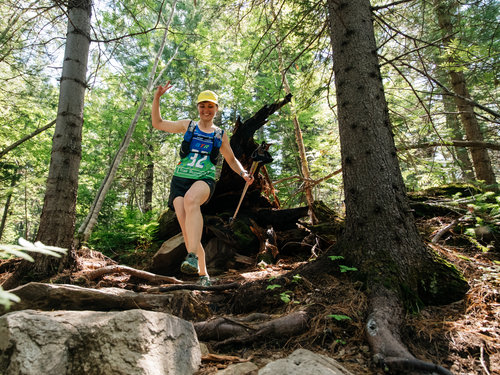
<point>90,221</point>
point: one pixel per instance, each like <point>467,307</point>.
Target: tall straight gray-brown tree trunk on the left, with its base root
<point>57,222</point>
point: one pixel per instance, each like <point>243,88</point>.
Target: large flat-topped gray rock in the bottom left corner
<point>133,342</point>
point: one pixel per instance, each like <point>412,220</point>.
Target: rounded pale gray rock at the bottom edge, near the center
<point>304,362</point>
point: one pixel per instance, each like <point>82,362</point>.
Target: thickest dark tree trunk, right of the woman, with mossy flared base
<point>380,236</point>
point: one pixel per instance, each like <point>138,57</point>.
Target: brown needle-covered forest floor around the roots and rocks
<point>463,337</point>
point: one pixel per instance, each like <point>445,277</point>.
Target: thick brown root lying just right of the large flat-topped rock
<point>238,331</point>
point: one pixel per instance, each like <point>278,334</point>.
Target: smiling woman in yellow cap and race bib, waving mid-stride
<point>194,177</point>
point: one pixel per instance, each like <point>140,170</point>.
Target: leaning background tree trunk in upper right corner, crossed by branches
<point>480,157</point>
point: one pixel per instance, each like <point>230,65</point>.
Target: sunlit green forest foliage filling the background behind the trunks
<point>230,48</point>
